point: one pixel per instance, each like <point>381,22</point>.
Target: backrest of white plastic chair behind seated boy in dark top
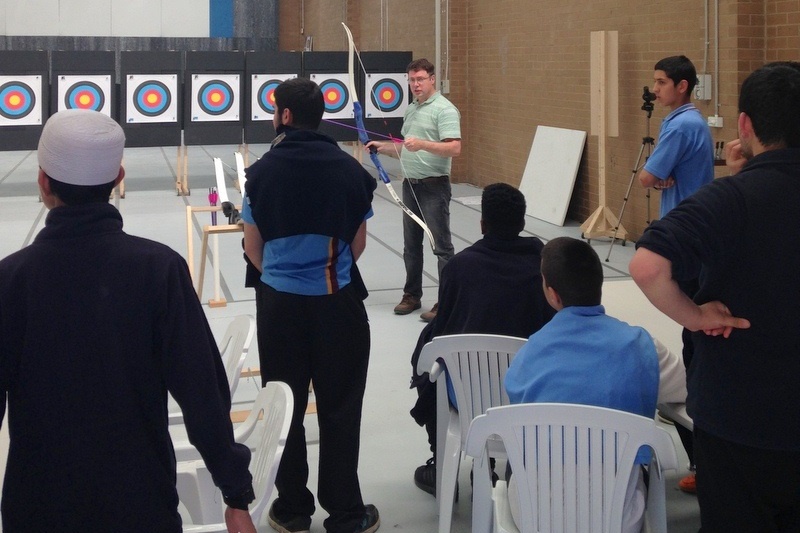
<point>477,365</point>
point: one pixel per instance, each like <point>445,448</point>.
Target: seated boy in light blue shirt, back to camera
<point>584,356</point>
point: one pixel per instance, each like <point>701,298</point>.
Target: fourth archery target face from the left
<point>215,97</point>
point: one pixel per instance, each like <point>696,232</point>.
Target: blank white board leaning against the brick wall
<point>550,173</point>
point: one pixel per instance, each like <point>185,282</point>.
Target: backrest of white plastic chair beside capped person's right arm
<point>270,419</point>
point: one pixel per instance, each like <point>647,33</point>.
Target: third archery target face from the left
<point>151,98</point>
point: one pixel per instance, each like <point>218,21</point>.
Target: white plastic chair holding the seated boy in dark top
<point>477,365</point>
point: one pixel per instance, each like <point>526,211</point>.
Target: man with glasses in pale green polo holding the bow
<point>432,137</point>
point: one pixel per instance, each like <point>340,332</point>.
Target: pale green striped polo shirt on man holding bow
<point>434,120</point>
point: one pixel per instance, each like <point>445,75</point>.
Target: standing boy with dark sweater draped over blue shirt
<point>305,225</point>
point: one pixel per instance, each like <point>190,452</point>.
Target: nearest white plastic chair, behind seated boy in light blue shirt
<point>572,464</point>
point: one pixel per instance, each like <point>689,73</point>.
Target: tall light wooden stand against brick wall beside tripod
<point>605,123</point>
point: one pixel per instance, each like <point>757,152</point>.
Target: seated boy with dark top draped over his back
<point>489,287</point>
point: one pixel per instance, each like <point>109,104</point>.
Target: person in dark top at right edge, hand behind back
<point>737,235</point>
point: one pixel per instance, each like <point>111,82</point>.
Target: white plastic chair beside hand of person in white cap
<point>268,422</point>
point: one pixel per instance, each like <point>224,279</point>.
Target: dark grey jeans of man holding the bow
<point>433,196</point>
